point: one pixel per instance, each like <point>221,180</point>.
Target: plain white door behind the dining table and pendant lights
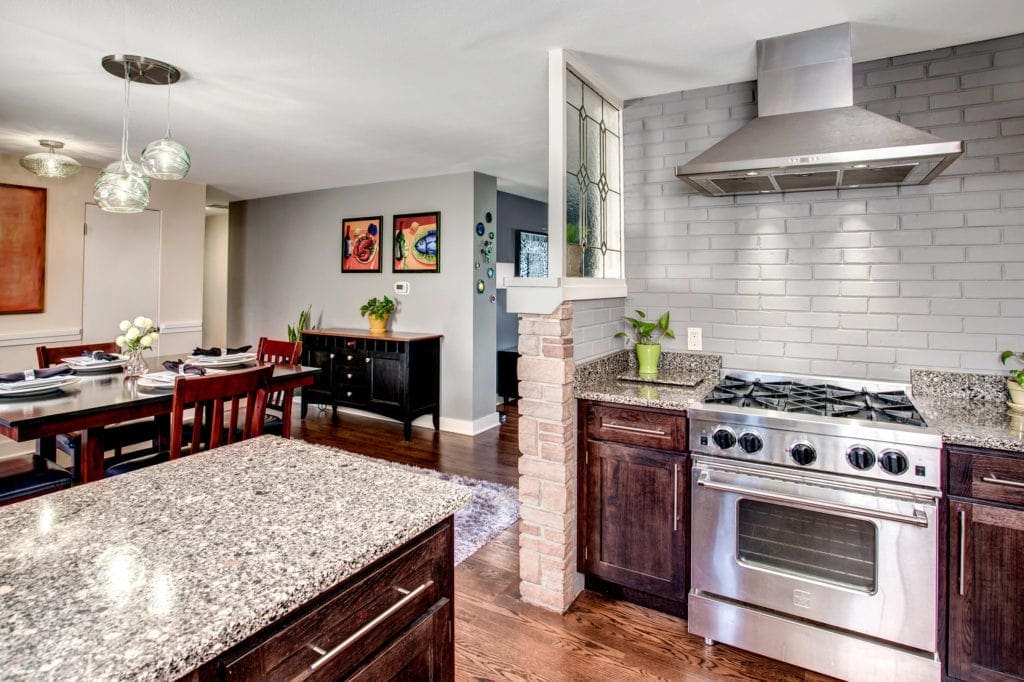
<point>122,271</point>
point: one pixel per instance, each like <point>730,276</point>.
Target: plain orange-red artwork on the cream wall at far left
<point>23,243</point>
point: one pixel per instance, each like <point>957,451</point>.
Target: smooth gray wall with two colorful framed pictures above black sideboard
<point>285,253</point>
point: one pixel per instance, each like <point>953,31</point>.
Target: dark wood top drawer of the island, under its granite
<point>358,621</point>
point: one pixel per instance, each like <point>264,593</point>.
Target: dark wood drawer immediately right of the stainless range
<point>985,477</point>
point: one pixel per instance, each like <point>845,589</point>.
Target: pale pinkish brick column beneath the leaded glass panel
<point>548,461</point>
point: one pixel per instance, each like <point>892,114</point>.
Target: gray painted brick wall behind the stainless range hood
<point>859,283</point>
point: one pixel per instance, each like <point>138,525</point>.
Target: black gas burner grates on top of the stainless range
<point>824,400</point>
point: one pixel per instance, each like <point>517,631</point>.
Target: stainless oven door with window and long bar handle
<point>861,558</point>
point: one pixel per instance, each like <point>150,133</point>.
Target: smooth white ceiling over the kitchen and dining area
<point>289,97</point>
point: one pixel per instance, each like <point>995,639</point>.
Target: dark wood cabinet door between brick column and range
<point>636,500</point>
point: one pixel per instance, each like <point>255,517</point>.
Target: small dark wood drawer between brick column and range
<point>636,427</point>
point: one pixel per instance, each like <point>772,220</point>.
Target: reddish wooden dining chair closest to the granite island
<point>220,401</point>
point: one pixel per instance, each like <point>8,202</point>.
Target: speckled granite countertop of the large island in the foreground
<point>150,575</point>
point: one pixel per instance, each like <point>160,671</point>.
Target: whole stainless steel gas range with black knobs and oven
<point>816,526</point>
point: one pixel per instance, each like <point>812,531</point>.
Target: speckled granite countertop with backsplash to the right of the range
<point>968,409</point>
